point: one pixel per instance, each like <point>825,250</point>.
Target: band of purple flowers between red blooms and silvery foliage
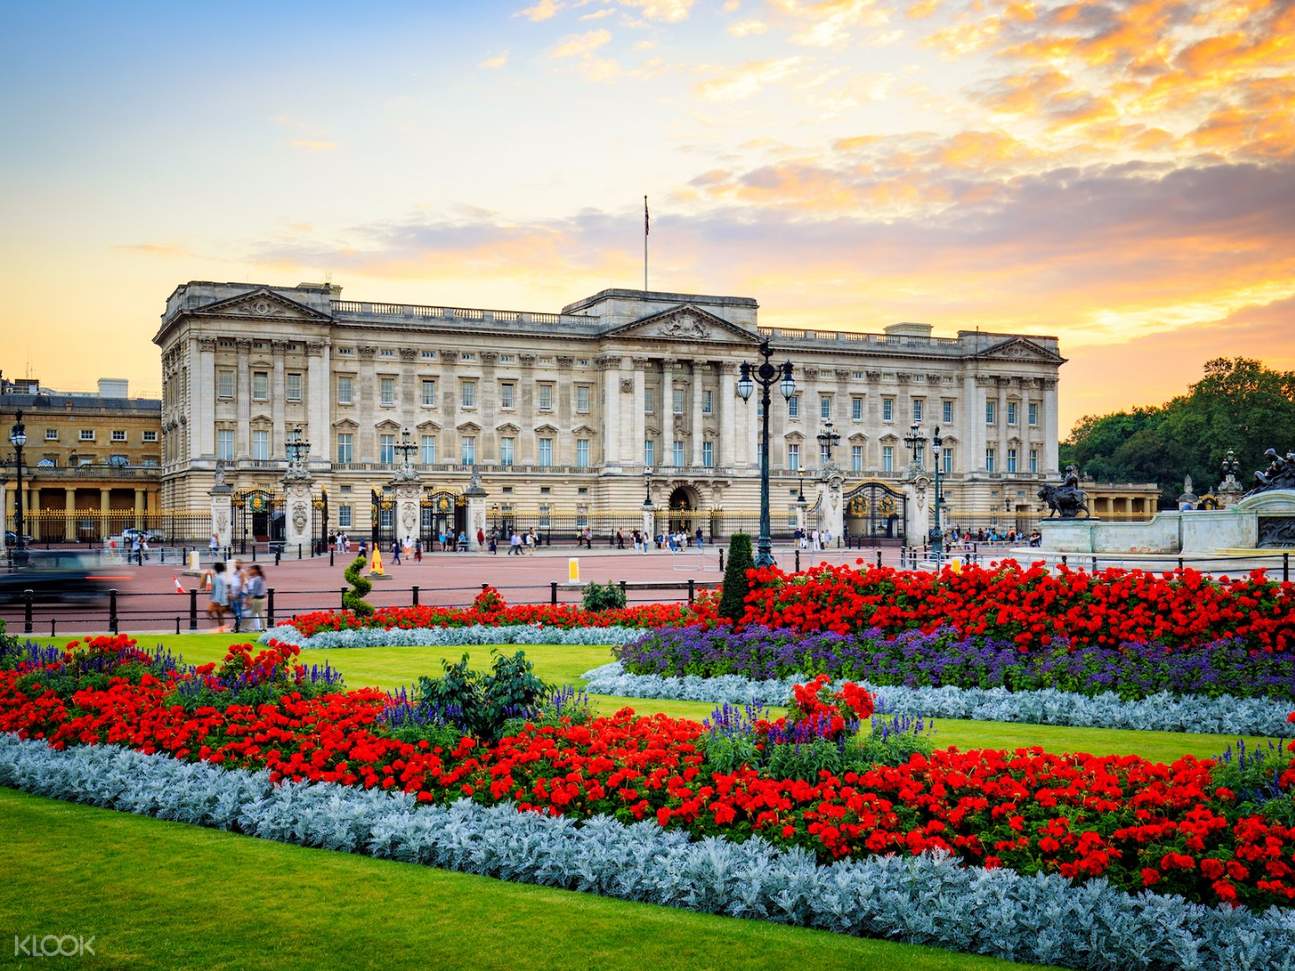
<point>945,658</point>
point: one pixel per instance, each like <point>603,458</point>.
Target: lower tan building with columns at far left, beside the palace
<point>93,464</point>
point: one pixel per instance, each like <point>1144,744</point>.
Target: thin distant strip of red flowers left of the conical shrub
<point>491,610</point>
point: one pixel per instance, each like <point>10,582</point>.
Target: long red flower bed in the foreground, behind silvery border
<point>1122,818</point>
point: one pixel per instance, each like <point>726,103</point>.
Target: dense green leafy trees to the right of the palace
<point>1239,405</point>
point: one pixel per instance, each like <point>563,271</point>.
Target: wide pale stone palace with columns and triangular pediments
<point>572,419</point>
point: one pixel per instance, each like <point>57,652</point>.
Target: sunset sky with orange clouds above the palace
<point>1118,174</point>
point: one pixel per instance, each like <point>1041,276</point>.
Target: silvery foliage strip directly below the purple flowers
<point>1157,713</point>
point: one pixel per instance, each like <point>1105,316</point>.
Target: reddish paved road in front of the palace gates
<point>147,599</point>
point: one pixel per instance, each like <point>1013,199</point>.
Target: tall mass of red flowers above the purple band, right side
<point>1031,607</point>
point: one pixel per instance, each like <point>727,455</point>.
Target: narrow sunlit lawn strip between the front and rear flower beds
<point>392,667</point>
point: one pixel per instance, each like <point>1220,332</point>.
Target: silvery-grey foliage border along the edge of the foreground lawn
<point>929,899</point>
